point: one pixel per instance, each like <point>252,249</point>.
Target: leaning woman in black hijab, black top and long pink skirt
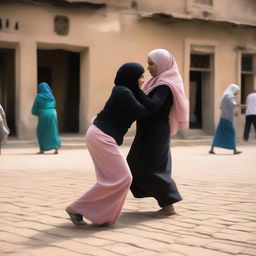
<point>102,204</point>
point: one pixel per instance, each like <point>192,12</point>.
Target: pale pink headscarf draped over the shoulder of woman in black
<point>168,74</point>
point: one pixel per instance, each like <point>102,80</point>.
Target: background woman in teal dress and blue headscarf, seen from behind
<point>47,127</point>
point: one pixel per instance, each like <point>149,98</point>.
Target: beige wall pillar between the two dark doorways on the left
<point>26,88</point>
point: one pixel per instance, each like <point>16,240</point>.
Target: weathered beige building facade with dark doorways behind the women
<point>77,46</point>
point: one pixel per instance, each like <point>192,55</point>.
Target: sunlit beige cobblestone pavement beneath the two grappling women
<point>216,217</point>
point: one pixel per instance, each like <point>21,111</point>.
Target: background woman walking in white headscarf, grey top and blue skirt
<point>225,136</point>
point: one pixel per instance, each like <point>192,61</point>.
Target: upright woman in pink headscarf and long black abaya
<point>149,157</point>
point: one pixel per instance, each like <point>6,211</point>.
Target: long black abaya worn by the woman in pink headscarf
<point>149,157</point>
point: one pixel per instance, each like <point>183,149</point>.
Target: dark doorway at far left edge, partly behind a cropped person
<point>7,86</point>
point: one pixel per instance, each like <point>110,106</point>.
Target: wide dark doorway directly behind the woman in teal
<point>61,70</point>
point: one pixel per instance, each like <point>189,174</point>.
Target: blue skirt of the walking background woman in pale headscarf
<point>225,135</point>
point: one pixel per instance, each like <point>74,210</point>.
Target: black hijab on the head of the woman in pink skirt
<point>128,75</point>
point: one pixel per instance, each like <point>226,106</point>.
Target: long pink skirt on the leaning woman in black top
<point>104,201</point>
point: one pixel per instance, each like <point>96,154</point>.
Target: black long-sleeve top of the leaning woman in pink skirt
<point>123,108</point>
